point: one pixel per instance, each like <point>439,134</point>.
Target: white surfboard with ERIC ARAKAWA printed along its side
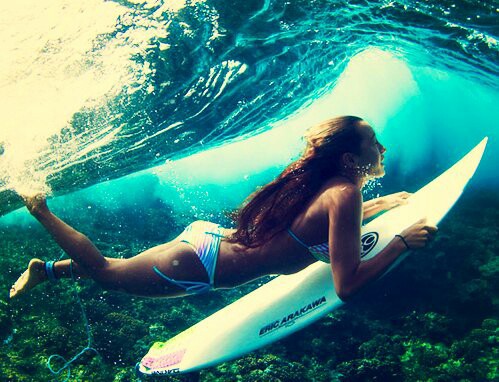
<point>290,302</point>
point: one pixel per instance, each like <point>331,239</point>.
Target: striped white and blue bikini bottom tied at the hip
<point>204,237</point>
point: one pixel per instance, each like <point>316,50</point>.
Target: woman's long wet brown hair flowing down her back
<point>273,208</point>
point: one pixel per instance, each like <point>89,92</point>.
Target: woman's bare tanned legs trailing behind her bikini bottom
<point>134,275</point>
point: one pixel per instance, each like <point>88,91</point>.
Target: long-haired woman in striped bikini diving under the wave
<point>312,211</point>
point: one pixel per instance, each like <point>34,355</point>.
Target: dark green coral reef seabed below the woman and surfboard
<point>434,318</point>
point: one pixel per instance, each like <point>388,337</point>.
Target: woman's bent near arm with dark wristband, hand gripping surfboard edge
<point>350,273</point>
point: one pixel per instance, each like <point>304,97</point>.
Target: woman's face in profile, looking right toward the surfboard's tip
<point>370,160</point>
